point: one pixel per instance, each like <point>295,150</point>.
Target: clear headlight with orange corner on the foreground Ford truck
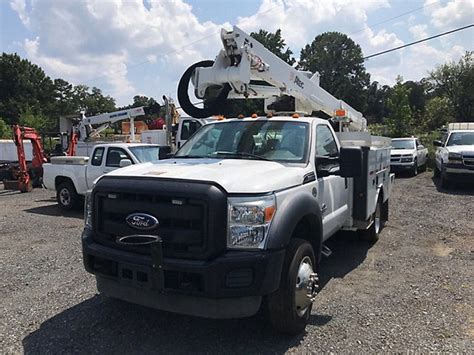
<point>249,220</point>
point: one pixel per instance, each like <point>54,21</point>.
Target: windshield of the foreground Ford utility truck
<point>283,141</point>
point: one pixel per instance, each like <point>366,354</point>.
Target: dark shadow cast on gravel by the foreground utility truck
<point>104,325</point>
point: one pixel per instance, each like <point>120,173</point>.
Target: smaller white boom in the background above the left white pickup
<point>105,119</point>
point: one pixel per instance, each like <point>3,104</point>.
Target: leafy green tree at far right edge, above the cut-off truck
<point>456,82</point>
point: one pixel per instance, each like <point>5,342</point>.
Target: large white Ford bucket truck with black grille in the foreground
<point>239,216</point>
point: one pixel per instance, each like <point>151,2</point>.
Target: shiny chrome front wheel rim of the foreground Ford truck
<point>306,286</point>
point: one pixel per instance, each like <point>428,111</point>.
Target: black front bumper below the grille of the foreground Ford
<point>229,286</point>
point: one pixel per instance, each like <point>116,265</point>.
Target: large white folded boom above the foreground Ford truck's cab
<point>243,58</point>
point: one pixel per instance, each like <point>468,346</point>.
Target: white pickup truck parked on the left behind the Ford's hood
<point>73,176</point>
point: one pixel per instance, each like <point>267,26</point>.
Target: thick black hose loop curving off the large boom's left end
<point>211,107</point>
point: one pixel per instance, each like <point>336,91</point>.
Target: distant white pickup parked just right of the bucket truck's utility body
<point>408,154</point>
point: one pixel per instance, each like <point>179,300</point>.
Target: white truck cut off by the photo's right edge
<point>454,156</point>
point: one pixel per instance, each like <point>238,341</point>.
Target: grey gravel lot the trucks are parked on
<point>412,291</point>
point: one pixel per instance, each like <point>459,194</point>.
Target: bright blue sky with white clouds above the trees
<point>129,47</point>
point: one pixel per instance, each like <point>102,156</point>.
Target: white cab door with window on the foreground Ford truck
<point>333,193</point>
